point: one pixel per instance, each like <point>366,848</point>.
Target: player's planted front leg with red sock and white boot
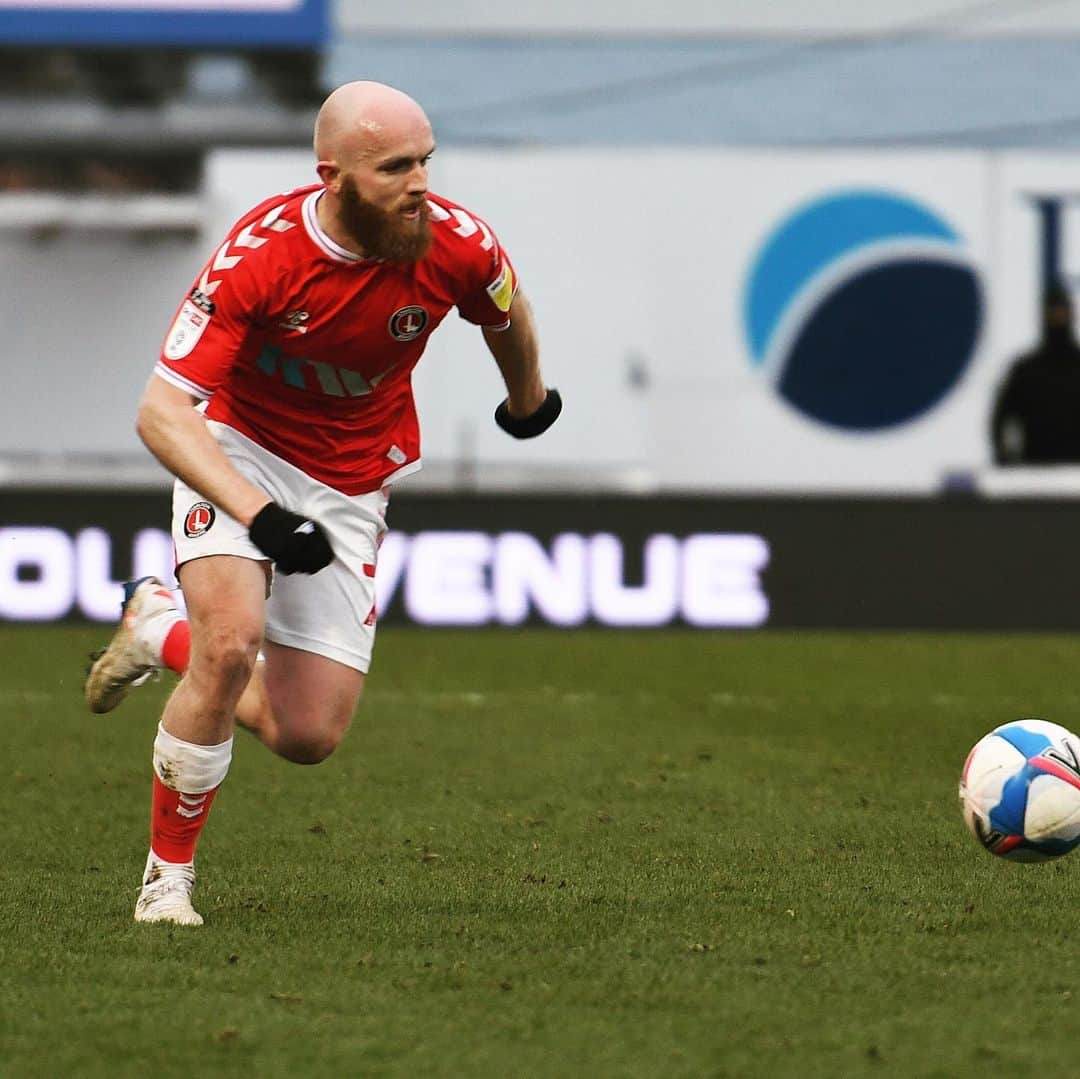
<point>194,747</point>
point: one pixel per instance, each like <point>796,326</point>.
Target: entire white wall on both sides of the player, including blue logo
<point>725,321</point>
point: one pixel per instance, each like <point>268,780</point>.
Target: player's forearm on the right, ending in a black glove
<point>531,408</point>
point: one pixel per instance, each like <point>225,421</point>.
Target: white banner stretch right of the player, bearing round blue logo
<point>764,321</point>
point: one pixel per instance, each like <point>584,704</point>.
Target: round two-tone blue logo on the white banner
<point>863,309</point>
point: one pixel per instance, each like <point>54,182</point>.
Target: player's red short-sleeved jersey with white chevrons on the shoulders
<point>309,349</point>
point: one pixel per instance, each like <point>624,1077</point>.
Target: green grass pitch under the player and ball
<point>552,855</point>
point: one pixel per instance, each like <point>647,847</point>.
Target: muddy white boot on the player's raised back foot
<point>127,662</point>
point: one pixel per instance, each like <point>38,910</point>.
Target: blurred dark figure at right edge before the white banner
<point>1037,411</point>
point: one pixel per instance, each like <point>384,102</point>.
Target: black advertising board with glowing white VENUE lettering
<point>622,563</point>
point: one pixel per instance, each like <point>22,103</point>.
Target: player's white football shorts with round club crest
<point>331,613</point>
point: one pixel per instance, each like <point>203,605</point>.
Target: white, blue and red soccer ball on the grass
<point>1021,791</point>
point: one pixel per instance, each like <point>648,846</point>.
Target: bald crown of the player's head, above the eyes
<point>364,118</point>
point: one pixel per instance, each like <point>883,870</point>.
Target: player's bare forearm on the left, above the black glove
<point>178,436</point>
